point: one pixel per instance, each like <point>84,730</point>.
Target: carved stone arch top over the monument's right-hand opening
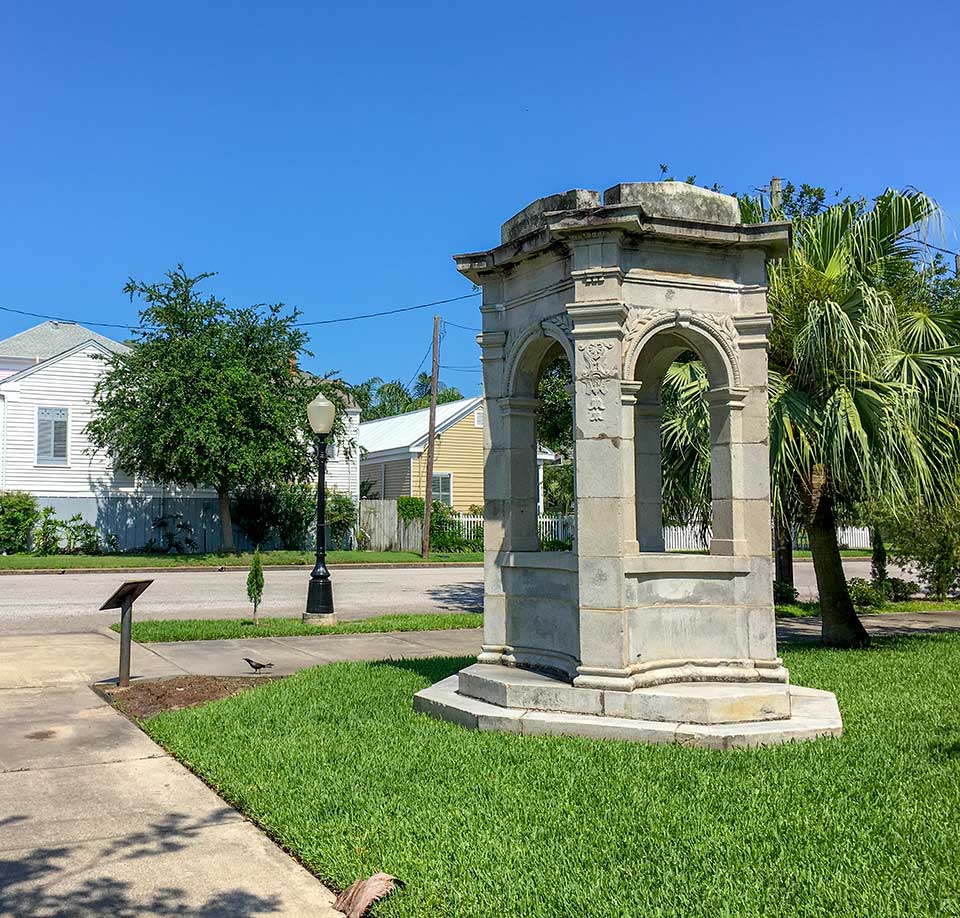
<point>712,337</point>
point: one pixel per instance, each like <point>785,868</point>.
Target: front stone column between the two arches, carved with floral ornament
<point>600,486</point>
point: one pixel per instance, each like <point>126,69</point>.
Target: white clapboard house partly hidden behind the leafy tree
<point>47,379</point>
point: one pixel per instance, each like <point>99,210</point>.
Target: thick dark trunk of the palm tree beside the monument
<point>840,625</point>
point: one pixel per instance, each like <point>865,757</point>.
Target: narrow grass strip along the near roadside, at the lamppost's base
<point>220,629</point>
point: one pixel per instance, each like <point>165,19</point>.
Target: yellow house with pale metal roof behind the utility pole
<point>393,460</point>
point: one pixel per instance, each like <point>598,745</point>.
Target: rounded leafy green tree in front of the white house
<point>208,395</point>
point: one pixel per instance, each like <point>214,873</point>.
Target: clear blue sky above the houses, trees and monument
<point>333,157</point>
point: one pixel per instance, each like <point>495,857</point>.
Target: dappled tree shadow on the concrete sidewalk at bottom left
<point>84,879</point>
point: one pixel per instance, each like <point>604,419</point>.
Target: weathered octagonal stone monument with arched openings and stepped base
<point>618,638</point>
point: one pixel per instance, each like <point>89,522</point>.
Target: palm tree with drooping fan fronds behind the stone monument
<point>864,385</point>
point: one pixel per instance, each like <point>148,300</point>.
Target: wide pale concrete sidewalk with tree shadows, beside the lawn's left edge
<point>95,819</point>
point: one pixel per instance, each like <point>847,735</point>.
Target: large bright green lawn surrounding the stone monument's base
<point>335,765</point>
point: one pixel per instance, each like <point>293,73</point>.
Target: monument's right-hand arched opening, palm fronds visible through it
<point>685,468</point>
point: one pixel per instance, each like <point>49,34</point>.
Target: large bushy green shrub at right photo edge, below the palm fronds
<point>927,541</point>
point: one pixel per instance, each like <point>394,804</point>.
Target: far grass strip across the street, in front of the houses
<point>27,562</point>
